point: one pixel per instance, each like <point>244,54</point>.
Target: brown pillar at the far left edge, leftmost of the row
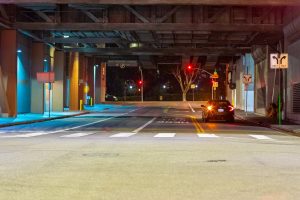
<point>8,74</point>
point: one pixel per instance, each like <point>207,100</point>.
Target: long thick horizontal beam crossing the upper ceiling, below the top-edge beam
<point>148,27</point>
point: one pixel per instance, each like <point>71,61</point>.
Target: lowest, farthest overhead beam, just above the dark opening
<point>161,51</point>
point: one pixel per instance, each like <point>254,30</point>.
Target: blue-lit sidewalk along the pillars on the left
<point>29,118</point>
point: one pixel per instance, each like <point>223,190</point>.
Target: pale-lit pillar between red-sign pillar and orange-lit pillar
<point>58,86</point>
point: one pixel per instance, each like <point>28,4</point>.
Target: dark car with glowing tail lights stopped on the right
<point>218,110</point>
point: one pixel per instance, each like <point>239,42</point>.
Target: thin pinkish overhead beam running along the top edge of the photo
<point>164,2</point>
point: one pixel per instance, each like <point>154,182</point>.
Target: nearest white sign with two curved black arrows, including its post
<point>279,61</point>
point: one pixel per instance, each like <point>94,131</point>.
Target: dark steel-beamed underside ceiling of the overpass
<point>136,28</point>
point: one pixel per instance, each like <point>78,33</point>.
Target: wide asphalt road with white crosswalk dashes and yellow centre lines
<point>129,152</point>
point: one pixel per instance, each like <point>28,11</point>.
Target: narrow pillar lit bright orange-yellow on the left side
<point>74,80</point>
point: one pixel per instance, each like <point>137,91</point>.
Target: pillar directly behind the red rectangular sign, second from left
<point>37,89</point>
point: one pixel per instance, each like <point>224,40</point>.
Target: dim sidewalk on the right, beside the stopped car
<point>286,126</point>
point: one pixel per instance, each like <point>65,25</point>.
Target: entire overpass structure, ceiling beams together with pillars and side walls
<point>72,37</point>
